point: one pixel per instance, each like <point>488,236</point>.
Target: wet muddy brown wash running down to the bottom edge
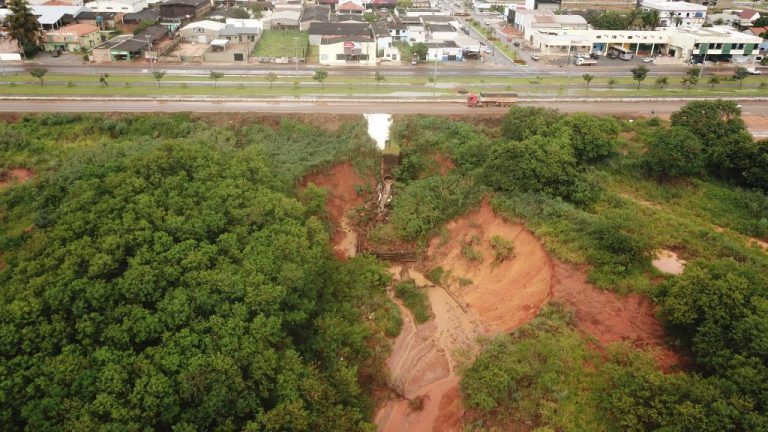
<point>423,364</point>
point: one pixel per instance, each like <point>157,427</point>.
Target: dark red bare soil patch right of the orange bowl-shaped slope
<point>611,318</point>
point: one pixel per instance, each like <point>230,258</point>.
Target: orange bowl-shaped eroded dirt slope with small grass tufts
<point>504,295</point>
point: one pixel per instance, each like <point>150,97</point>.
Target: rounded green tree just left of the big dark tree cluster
<point>674,152</point>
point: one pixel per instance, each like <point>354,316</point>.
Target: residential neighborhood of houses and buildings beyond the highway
<point>340,33</point>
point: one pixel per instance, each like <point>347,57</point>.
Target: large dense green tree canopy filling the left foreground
<point>170,284</point>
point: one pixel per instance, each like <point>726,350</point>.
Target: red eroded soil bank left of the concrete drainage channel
<point>340,181</point>
